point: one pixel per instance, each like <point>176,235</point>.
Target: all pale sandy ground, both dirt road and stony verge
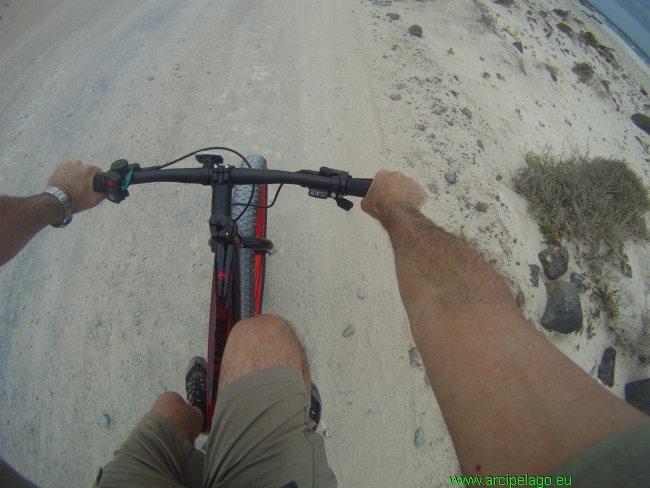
<point>305,84</point>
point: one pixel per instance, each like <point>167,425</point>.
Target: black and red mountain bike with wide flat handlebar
<point>239,243</point>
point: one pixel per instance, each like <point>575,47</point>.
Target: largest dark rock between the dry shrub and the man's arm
<point>563,311</point>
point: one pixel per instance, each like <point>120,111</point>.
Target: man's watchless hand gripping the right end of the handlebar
<point>390,191</point>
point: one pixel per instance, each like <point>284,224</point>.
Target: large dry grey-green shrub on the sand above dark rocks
<point>598,203</point>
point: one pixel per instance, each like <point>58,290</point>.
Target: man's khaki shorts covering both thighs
<point>260,437</point>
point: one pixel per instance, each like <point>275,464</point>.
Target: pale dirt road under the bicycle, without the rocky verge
<point>103,316</point>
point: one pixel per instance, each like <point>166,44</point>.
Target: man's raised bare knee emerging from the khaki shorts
<point>262,342</point>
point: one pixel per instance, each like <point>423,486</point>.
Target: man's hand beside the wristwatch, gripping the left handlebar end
<point>76,179</point>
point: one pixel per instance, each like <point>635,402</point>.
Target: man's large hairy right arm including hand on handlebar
<point>513,403</point>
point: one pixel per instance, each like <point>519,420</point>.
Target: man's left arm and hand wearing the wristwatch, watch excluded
<point>23,218</point>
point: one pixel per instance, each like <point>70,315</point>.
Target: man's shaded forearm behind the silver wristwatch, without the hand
<point>22,218</point>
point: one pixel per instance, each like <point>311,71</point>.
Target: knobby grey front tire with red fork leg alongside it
<point>251,223</point>
